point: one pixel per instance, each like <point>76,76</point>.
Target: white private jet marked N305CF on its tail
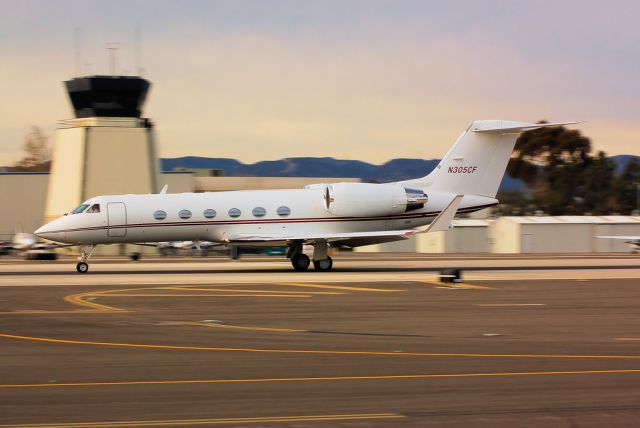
<point>345,214</point>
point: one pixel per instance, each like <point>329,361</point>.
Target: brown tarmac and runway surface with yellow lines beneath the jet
<point>378,343</point>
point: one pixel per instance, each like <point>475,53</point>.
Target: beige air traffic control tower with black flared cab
<point>107,149</point>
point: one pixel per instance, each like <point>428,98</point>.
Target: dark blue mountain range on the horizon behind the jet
<point>393,170</point>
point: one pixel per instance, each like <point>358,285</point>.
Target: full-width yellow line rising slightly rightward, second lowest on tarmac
<point>317,379</point>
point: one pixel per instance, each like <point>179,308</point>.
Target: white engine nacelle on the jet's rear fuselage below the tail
<point>370,200</point>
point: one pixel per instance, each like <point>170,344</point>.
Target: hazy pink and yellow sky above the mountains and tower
<point>370,80</point>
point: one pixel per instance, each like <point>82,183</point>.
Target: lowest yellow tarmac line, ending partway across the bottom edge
<point>212,421</point>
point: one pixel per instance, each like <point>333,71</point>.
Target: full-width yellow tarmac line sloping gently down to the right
<point>314,351</point>
